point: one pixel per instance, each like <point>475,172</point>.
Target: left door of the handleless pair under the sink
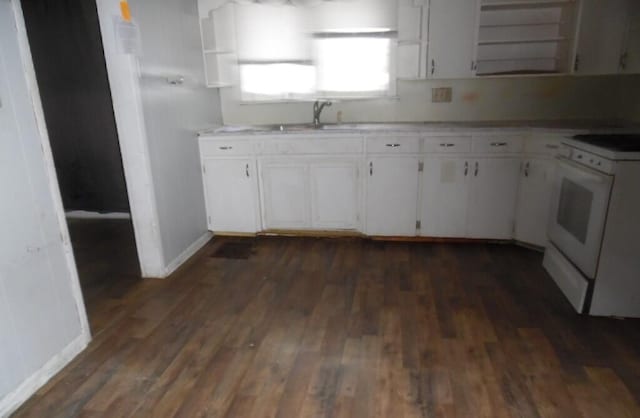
<point>285,195</point>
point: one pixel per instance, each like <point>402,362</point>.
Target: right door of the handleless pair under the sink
<point>334,195</point>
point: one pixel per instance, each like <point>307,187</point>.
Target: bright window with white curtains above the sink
<point>337,49</point>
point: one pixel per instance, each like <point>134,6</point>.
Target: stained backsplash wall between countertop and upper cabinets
<point>487,99</point>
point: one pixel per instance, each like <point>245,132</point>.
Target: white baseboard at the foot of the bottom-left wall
<point>28,387</point>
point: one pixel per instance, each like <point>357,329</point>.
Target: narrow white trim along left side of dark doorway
<point>32,85</point>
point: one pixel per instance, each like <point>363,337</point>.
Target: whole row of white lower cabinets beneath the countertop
<point>448,185</point>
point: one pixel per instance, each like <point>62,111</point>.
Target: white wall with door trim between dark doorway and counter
<point>157,125</point>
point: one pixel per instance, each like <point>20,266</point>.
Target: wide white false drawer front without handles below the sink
<point>312,146</point>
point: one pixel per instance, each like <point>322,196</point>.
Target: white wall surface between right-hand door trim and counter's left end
<point>173,115</point>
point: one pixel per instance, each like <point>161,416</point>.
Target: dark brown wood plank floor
<point>308,327</point>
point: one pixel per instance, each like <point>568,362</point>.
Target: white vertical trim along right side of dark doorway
<point>123,74</point>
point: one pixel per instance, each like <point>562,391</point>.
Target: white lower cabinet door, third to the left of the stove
<point>445,191</point>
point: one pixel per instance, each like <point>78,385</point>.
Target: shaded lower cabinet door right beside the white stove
<point>534,199</point>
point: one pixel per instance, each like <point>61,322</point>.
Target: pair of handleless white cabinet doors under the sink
<point>310,194</point>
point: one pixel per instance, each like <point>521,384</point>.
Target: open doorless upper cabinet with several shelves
<point>526,37</point>
